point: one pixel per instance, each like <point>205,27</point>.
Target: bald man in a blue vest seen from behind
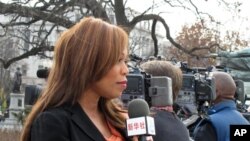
<point>222,113</point>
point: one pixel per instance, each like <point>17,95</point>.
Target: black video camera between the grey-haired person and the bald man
<point>198,89</point>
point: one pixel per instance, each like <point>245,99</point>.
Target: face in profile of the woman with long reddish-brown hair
<point>115,81</point>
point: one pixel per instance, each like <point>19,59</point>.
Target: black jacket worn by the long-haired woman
<point>65,123</point>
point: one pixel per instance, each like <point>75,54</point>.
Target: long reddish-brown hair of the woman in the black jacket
<point>82,55</point>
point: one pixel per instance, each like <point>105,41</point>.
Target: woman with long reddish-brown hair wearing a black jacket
<point>89,70</point>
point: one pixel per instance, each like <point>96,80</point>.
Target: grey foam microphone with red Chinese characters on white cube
<point>139,123</point>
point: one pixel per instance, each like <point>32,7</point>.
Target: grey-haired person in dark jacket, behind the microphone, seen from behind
<point>167,124</point>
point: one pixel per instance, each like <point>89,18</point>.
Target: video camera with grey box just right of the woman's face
<point>157,91</point>
